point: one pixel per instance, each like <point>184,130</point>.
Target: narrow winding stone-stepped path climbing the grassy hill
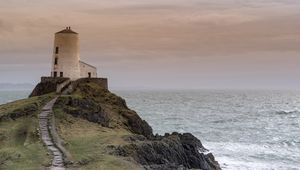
<point>46,126</point>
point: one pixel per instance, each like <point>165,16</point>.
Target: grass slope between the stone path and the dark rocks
<point>88,144</point>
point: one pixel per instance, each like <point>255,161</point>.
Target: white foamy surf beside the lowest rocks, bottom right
<point>237,156</point>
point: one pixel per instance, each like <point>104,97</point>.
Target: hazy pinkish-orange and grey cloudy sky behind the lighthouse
<point>159,44</point>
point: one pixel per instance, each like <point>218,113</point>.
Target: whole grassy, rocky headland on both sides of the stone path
<point>98,130</point>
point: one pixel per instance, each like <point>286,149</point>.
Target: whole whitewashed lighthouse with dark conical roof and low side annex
<point>66,58</point>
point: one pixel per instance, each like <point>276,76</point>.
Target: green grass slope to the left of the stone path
<point>20,146</point>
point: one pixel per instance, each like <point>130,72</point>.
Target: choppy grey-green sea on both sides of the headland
<point>244,129</point>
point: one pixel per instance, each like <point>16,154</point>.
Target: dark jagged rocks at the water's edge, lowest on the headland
<point>175,151</point>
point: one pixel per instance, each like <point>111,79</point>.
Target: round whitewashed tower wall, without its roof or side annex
<point>67,56</point>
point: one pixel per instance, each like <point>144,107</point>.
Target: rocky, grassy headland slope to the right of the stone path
<point>100,131</point>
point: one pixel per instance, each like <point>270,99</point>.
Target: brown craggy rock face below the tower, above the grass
<point>108,110</point>
